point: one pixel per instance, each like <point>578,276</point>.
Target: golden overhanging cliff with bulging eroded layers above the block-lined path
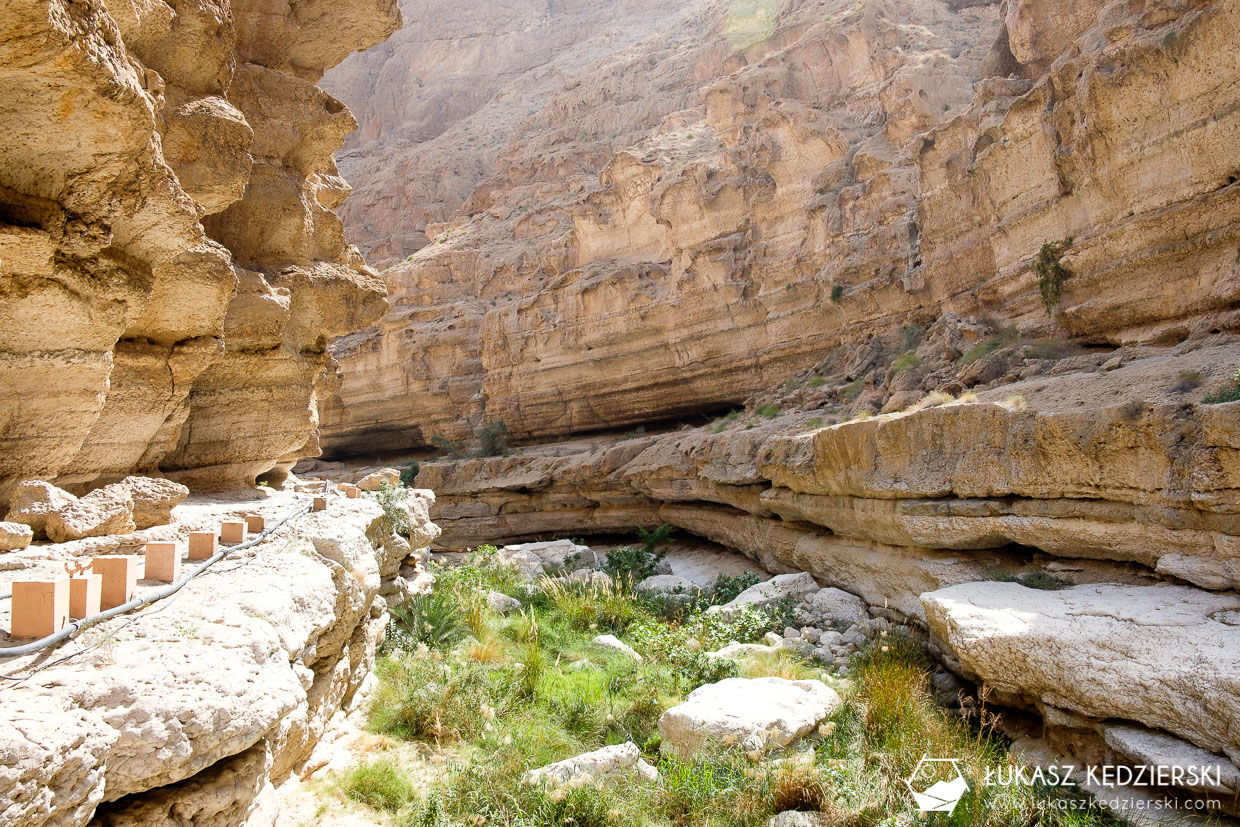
<point>170,267</point>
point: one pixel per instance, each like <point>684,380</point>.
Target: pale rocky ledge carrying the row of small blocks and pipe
<point>194,710</point>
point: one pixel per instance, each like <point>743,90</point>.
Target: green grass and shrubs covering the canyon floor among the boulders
<point>531,701</point>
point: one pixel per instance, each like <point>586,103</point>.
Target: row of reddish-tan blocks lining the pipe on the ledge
<point>42,608</point>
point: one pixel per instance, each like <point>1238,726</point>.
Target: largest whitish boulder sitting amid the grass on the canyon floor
<point>751,714</point>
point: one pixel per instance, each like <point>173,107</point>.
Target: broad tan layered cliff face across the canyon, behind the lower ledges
<point>835,175</point>
